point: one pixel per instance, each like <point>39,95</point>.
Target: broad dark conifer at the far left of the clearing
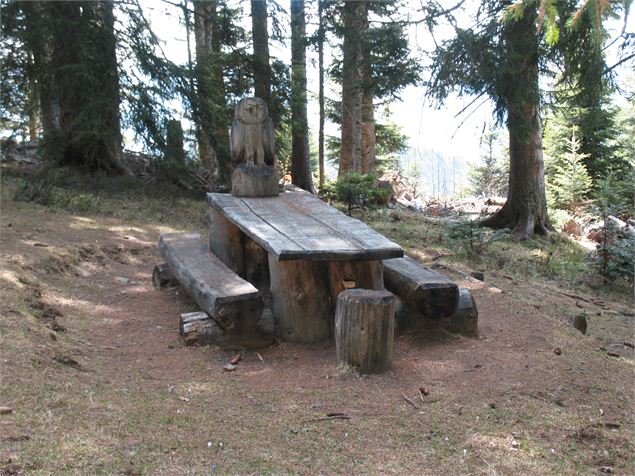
<point>73,46</point>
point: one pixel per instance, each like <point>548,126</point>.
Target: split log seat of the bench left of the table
<point>232,302</point>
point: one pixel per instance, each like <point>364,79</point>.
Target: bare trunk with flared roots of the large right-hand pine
<point>525,211</point>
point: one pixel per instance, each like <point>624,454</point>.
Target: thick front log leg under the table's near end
<point>301,300</point>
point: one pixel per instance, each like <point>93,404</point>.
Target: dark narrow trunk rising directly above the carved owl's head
<point>260,36</point>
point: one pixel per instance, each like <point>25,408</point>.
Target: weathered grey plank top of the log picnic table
<point>298,225</point>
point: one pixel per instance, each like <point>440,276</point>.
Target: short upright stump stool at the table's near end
<point>364,329</point>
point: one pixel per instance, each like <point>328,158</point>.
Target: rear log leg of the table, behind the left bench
<point>226,242</point>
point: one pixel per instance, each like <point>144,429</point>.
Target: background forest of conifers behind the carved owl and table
<point>82,75</point>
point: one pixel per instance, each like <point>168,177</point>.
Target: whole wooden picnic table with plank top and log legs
<point>304,250</point>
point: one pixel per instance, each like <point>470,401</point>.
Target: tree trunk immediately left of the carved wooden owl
<point>212,122</point>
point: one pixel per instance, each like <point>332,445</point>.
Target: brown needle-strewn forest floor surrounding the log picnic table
<point>97,380</point>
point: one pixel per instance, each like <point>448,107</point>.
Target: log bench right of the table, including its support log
<point>430,298</point>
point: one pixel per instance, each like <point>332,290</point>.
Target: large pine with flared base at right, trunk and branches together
<point>501,57</point>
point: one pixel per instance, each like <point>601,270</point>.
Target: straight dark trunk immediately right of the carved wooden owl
<point>300,156</point>
